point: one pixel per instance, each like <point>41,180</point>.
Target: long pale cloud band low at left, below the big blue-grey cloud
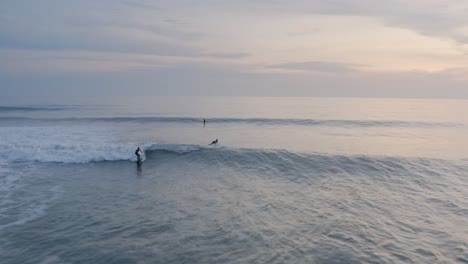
<point>62,61</point>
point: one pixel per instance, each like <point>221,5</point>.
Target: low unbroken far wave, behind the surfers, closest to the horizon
<point>247,121</point>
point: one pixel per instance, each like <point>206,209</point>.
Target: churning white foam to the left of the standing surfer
<point>73,145</point>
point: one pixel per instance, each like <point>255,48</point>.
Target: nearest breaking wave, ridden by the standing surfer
<point>248,159</point>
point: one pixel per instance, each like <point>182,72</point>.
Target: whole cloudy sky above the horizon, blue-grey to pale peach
<point>58,49</point>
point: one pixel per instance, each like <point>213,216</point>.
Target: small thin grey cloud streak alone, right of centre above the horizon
<point>317,66</point>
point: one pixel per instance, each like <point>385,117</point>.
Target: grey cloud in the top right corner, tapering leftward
<point>437,18</point>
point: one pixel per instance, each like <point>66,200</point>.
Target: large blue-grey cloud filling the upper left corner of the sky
<point>59,26</point>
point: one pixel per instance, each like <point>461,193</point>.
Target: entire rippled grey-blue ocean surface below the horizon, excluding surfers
<point>292,180</point>
